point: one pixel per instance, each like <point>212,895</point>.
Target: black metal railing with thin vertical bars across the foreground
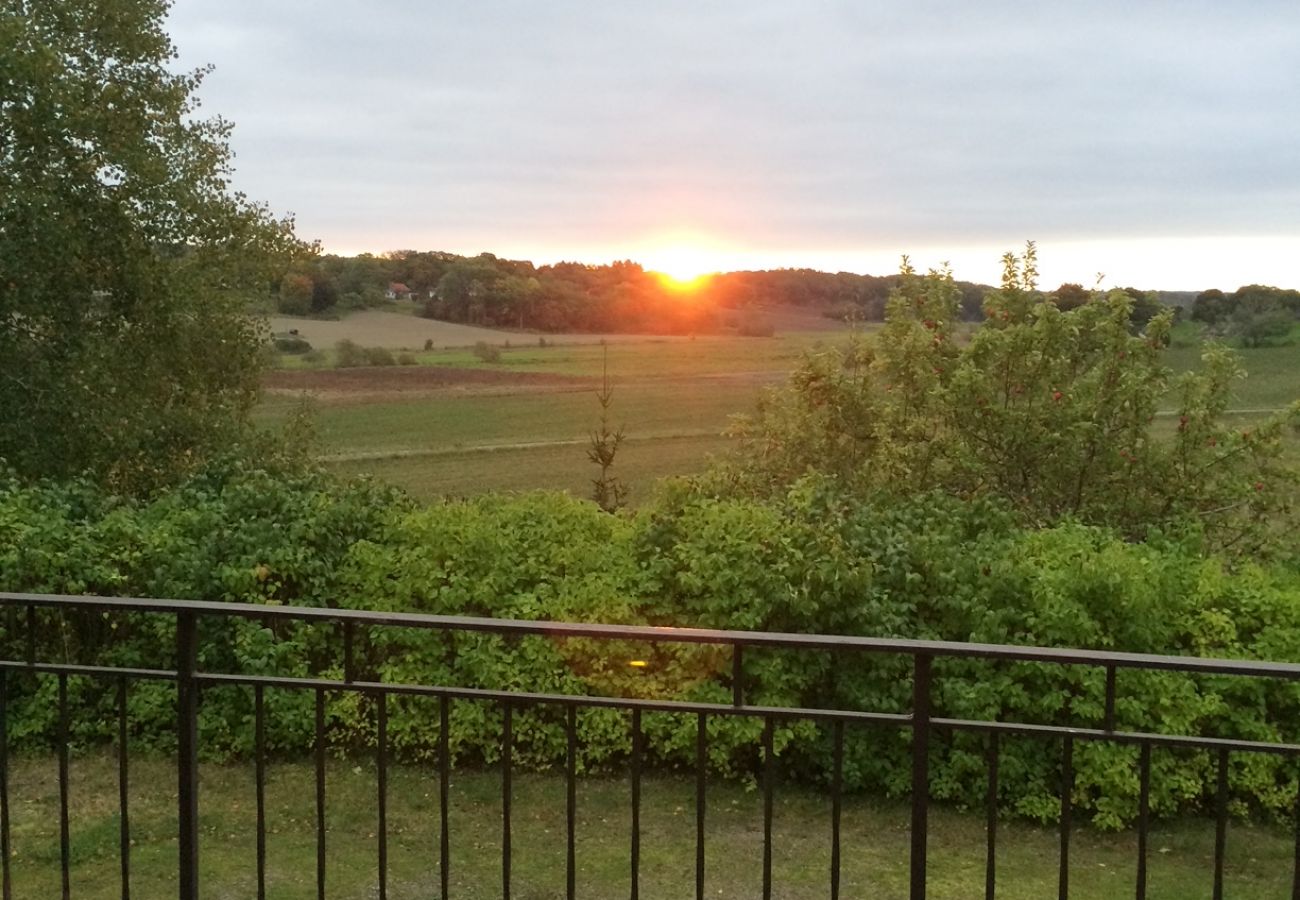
<point>920,721</point>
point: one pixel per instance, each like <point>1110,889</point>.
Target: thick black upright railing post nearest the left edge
<point>188,754</point>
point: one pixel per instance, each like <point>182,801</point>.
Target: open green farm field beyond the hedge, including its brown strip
<point>457,426</point>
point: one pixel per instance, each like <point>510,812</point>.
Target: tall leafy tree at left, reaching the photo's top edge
<point>127,261</point>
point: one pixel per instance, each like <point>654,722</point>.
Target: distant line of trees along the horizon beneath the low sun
<point>625,297</point>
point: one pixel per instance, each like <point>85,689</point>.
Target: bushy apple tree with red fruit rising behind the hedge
<point>1051,412</point>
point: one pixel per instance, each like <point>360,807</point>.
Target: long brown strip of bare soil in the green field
<point>396,383</point>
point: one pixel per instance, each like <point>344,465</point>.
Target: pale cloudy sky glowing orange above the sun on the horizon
<point>1154,144</point>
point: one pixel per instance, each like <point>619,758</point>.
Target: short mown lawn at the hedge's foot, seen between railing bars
<point>876,840</point>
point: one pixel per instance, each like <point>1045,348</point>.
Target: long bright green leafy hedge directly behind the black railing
<point>811,561</point>
